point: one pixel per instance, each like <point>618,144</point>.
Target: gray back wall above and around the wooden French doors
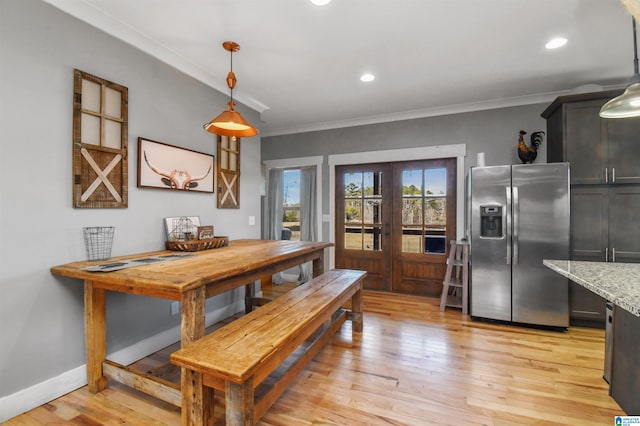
<point>494,132</point>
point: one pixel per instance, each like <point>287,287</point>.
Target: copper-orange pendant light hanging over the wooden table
<point>230,122</point>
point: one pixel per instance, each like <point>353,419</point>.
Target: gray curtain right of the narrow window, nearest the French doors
<point>308,217</point>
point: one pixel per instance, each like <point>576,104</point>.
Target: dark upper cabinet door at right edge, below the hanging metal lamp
<point>624,150</point>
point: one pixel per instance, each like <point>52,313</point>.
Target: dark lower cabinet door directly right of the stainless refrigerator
<point>589,223</point>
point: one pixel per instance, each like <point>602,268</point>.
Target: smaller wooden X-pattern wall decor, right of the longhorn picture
<point>228,171</point>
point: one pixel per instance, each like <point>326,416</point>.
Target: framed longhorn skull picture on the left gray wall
<point>165,166</point>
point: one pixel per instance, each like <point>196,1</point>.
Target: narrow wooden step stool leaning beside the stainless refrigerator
<point>455,287</point>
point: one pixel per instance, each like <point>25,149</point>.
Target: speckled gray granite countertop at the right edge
<point>618,283</point>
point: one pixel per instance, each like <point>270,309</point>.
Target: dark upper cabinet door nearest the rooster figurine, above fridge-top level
<point>586,142</point>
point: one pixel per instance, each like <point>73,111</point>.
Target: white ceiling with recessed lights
<point>299,64</point>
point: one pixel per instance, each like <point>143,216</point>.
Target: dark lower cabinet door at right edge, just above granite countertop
<point>624,223</point>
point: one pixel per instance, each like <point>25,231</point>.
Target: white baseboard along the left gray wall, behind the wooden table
<point>50,389</point>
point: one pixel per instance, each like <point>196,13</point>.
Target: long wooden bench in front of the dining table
<point>255,358</point>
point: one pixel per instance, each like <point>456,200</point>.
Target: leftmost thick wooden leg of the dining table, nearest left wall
<point>95,335</point>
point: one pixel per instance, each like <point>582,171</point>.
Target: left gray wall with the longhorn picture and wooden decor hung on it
<point>41,316</point>
